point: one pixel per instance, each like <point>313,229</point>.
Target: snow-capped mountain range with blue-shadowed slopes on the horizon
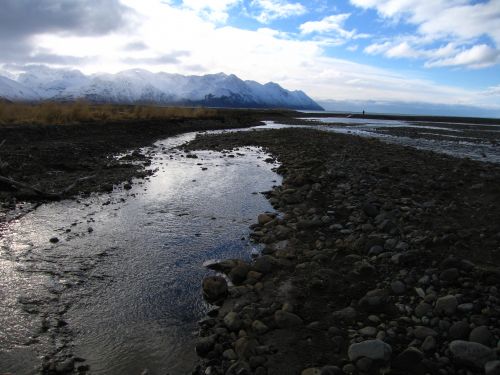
<point>141,86</point>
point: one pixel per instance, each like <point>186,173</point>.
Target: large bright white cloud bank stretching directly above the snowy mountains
<point>179,40</point>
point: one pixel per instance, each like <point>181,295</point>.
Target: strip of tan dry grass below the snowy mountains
<point>51,113</point>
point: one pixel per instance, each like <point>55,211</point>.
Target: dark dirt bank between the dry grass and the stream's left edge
<point>52,157</point>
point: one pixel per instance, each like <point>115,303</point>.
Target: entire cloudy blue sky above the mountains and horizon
<point>440,51</point>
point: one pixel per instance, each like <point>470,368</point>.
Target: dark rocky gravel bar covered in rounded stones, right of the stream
<point>382,257</point>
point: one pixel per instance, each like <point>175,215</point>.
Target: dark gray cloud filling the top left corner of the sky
<point>21,19</point>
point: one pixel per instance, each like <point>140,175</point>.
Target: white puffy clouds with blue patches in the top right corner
<point>458,23</point>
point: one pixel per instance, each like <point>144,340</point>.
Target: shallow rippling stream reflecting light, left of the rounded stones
<point>121,288</point>
